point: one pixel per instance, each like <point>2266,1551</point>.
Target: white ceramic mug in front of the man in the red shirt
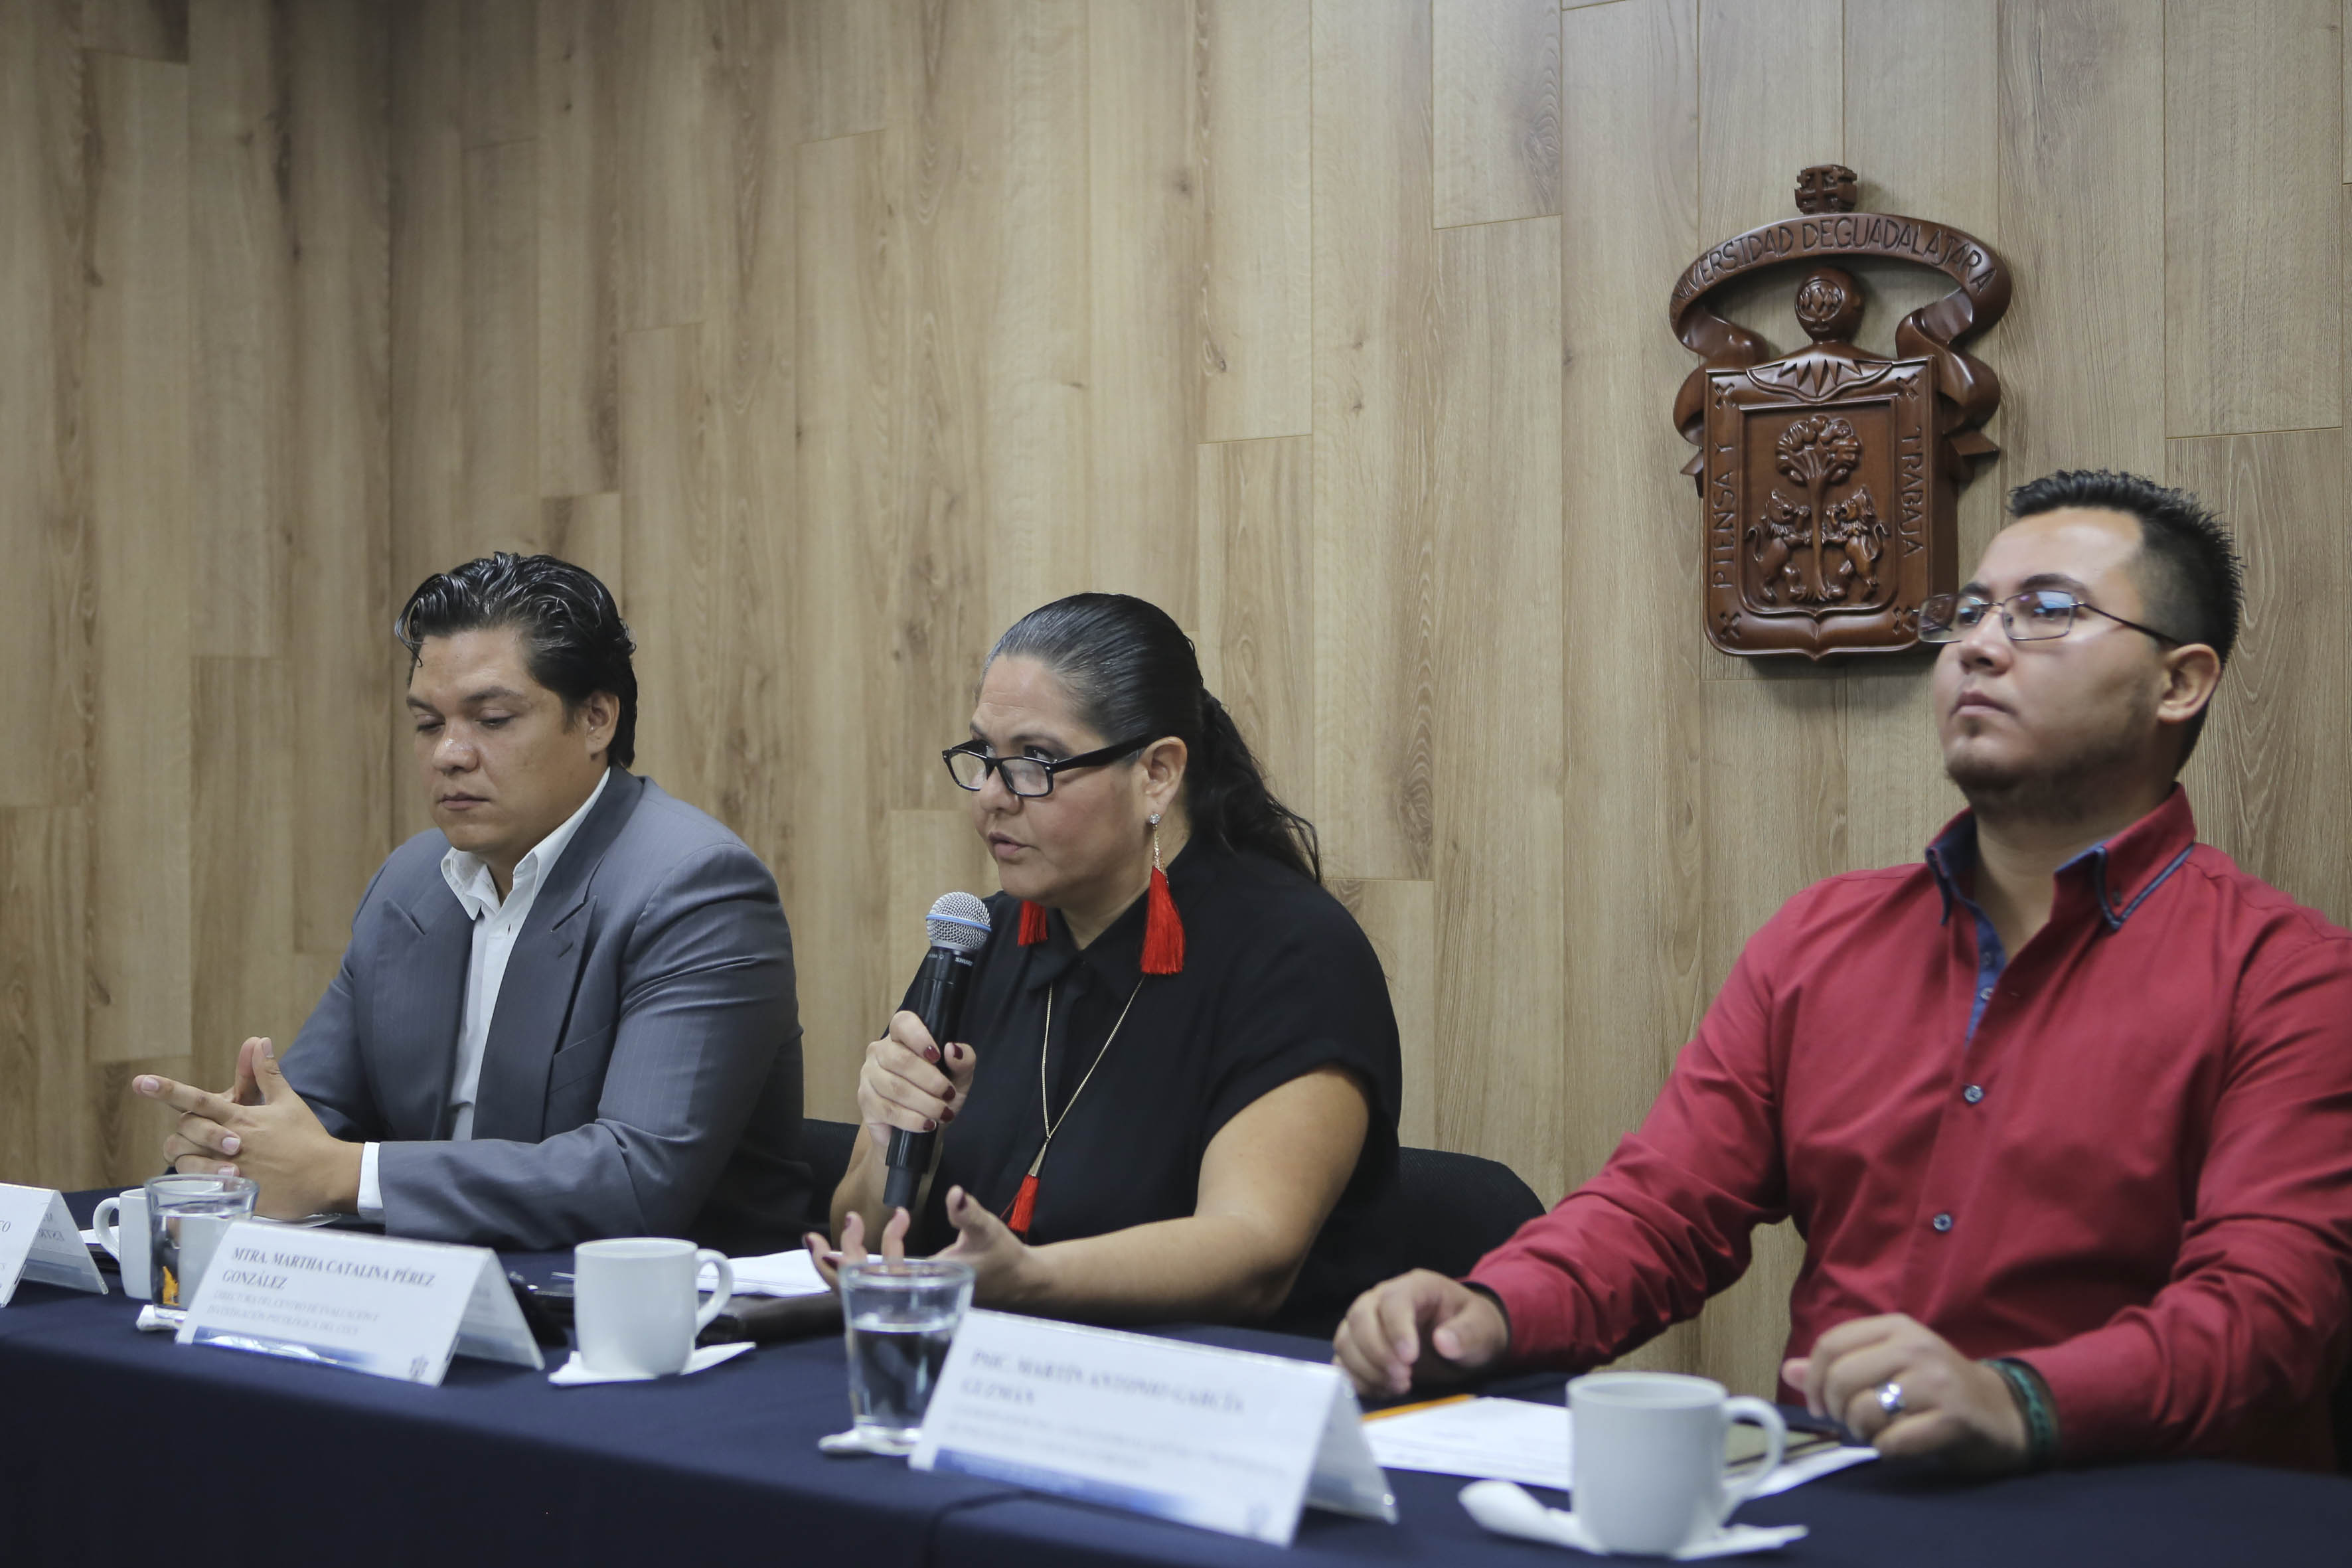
<point>1648,1470</point>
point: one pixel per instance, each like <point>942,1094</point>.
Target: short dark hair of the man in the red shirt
<point>2191,577</point>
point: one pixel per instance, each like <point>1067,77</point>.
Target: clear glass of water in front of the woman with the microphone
<point>900,1320</point>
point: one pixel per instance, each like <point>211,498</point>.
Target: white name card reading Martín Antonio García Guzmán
<point>1212,1438</point>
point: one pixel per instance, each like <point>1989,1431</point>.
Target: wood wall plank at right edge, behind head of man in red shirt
<point>2276,753</point>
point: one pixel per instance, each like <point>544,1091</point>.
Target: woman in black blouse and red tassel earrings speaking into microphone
<point>1177,1061</point>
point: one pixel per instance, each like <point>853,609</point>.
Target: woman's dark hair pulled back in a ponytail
<point>1132,671</point>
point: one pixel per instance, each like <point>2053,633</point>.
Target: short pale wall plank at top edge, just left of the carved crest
<point>1497,109</point>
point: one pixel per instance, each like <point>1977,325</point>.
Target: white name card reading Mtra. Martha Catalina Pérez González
<point>366,1304</point>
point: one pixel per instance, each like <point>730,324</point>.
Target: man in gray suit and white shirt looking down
<point>563,1014</point>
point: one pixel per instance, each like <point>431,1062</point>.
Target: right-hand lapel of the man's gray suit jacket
<point>535,998</point>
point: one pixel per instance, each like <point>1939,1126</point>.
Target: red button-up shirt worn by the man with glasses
<point>2123,1155</point>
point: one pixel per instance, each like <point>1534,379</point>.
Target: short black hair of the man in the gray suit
<point>573,631</point>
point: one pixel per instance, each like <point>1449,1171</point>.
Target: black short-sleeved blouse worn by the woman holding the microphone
<point>1278,981</point>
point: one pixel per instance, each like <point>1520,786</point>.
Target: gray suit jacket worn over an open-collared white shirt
<point>643,1064</point>
